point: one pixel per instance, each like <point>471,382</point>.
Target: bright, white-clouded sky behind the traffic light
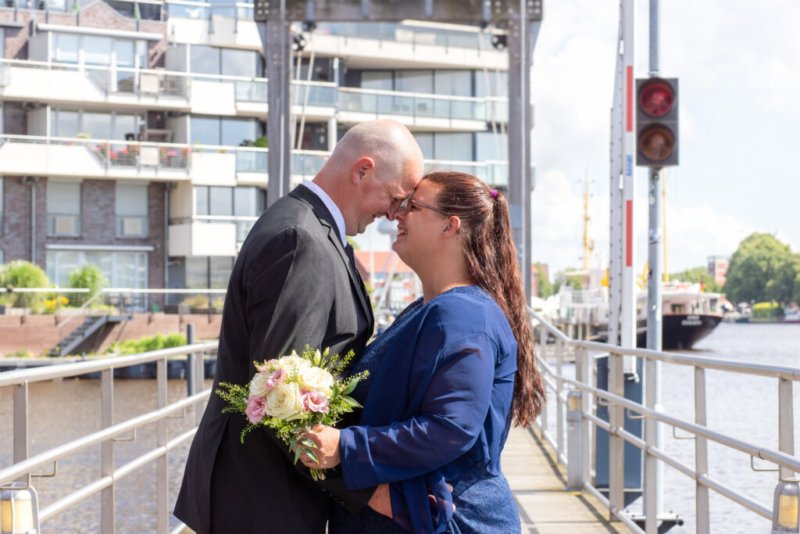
<point>739,69</point>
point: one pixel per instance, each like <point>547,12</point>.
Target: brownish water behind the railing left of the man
<point>62,411</point>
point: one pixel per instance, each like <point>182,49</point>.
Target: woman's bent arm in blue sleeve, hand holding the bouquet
<point>451,416</point>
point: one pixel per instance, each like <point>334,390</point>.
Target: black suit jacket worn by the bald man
<point>292,286</point>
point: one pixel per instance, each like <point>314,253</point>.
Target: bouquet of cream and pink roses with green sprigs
<point>293,393</point>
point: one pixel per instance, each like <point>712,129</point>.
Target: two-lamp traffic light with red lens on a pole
<point>657,122</point>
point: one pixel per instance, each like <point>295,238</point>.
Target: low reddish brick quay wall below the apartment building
<point>39,333</point>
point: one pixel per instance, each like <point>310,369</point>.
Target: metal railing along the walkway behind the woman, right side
<point>575,401</point>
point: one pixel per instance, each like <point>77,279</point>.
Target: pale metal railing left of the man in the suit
<point>24,466</point>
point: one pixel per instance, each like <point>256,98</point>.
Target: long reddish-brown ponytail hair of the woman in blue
<point>491,258</point>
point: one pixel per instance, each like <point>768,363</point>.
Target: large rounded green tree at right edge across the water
<point>762,269</point>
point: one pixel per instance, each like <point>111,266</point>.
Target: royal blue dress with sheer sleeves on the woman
<point>437,410</point>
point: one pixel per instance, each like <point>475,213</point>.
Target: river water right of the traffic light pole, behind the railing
<point>740,406</point>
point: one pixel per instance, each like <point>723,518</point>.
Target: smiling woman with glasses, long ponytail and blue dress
<point>447,378</point>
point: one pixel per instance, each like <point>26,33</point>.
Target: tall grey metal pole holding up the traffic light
<point>653,470</point>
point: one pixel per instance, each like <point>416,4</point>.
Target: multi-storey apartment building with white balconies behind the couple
<point>133,134</point>
